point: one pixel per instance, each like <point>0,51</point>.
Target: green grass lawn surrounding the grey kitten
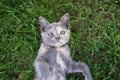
<point>95,35</point>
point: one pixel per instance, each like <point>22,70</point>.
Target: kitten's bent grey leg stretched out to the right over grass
<point>80,67</point>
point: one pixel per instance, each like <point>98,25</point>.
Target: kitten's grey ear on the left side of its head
<point>43,23</point>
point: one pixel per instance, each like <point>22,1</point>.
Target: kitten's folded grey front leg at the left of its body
<point>42,69</point>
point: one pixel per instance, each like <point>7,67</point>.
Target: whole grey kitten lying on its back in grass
<point>53,61</point>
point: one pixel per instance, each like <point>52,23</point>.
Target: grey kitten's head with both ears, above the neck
<point>55,34</point>
